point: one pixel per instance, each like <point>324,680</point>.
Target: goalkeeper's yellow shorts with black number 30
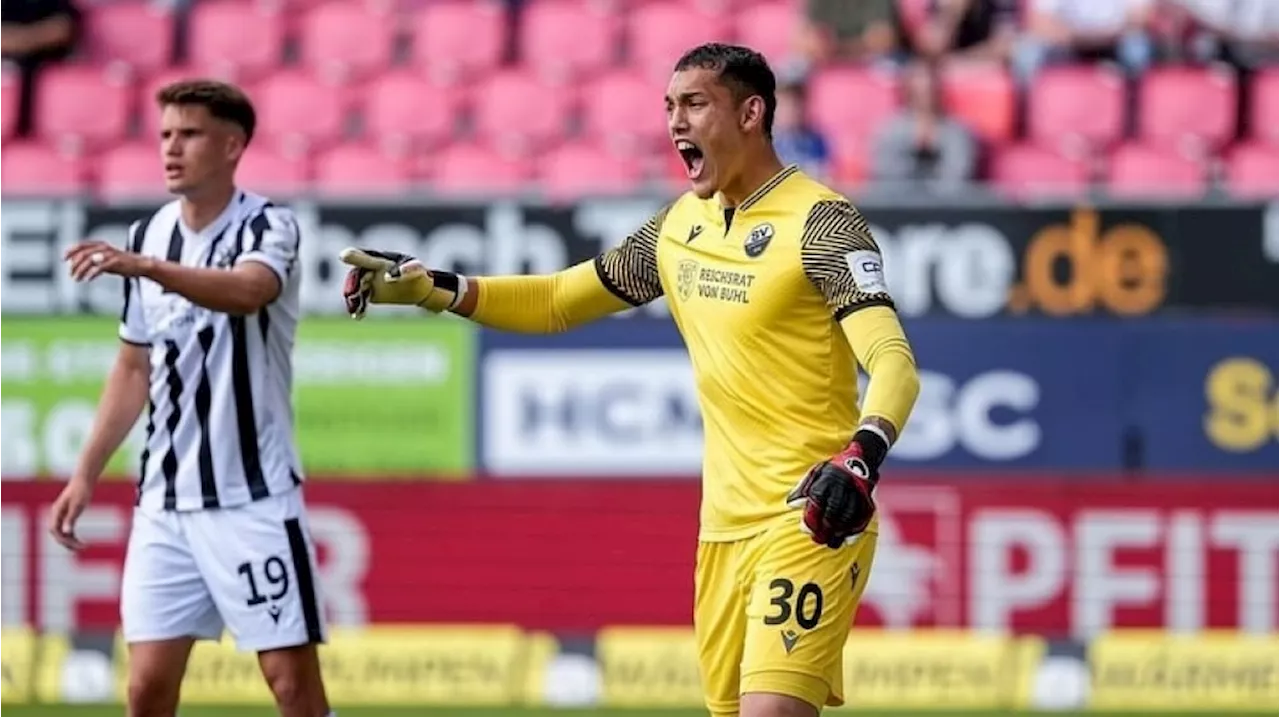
<point>772,614</point>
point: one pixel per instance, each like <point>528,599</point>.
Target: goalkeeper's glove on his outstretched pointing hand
<point>387,277</point>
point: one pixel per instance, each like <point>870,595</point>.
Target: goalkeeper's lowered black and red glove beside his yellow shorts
<point>838,494</point>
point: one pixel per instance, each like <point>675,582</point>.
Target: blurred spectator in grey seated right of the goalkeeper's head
<point>922,145</point>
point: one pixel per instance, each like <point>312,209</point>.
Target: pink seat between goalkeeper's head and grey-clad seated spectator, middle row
<point>845,101</point>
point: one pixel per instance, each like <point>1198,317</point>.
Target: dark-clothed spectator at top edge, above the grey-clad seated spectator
<point>971,30</point>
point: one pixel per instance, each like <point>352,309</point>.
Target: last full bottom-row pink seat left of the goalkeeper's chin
<point>583,170</point>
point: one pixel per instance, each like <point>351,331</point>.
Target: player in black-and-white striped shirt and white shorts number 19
<point>220,537</point>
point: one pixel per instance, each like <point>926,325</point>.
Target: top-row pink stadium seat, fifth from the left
<point>564,40</point>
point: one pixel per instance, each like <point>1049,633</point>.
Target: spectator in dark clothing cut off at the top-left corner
<point>33,34</point>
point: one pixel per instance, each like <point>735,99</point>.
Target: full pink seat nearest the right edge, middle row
<point>1187,107</point>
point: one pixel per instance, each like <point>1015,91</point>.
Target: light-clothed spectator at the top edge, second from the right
<point>1086,30</point>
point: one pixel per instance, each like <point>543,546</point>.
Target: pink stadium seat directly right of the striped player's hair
<point>296,106</point>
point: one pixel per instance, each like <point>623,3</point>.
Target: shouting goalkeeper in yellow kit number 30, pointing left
<point>778,287</point>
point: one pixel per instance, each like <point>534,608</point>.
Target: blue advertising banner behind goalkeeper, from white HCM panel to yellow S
<point>619,399</point>
